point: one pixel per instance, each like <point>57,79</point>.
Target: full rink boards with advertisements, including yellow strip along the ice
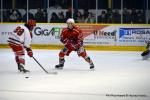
<point>96,36</point>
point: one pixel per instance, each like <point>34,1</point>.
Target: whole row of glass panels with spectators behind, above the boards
<point>84,11</point>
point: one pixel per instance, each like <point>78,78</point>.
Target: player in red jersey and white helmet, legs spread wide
<point>72,38</point>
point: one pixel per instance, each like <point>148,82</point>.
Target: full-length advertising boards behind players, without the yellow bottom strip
<point>109,35</point>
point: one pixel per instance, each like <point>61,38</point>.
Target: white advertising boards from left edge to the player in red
<point>42,33</point>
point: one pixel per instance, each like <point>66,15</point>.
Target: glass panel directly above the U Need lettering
<point>109,11</point>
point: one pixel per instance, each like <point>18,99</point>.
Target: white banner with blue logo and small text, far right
<point>133,36</point>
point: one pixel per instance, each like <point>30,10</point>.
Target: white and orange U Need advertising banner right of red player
<point>101,35</point>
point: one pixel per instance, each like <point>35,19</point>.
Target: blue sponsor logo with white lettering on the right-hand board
<point>133,31</point>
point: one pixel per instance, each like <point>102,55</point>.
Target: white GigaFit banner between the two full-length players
<point>47,33</point>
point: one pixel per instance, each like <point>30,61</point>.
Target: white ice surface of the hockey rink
<point>117,76</point>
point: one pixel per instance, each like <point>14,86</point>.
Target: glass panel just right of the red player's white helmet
<point>85,11</point>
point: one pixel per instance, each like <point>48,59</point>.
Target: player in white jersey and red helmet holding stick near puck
<point>20,41</point>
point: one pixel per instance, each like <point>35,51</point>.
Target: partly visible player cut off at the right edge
<point>146,54</point>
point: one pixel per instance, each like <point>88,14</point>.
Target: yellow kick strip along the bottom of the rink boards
<point>97,48</point>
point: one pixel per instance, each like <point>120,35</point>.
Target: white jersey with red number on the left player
<point>20,36</point>
